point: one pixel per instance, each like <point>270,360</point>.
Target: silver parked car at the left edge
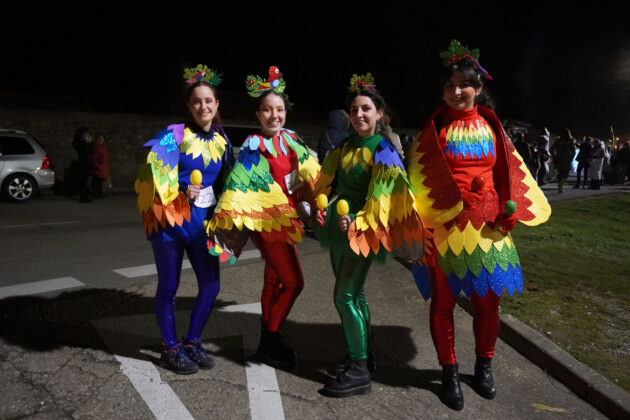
<point>25,169</point>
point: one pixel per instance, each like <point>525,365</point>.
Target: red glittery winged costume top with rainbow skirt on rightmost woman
<point>464,168</point>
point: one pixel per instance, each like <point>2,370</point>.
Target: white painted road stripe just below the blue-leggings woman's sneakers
<point>160,398</point>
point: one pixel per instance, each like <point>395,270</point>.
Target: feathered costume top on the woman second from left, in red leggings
<point>271,176</point>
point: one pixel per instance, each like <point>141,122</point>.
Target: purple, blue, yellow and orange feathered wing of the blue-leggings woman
<point>157,185</point>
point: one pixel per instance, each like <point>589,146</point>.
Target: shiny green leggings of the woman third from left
<point>350,273</point>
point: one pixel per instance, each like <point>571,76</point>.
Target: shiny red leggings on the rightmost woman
<point>485,320</point>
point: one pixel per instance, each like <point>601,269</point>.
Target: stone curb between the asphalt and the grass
<point>587,384</point>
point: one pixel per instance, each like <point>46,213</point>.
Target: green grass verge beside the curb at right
<point>577,282</point>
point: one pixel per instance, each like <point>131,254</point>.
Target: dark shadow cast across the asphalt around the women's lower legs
<point>43,324</point>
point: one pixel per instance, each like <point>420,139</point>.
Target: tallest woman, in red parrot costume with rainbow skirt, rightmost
<point>471,186</point>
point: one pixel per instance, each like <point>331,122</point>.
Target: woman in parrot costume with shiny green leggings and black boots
<point>373,216</point>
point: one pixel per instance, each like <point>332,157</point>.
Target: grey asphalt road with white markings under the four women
<point>87,351</point>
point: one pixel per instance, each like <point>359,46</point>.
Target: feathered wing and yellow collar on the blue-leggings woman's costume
<point>159,200</point>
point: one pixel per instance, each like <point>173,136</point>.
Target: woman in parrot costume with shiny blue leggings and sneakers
<point>177,187</point>
